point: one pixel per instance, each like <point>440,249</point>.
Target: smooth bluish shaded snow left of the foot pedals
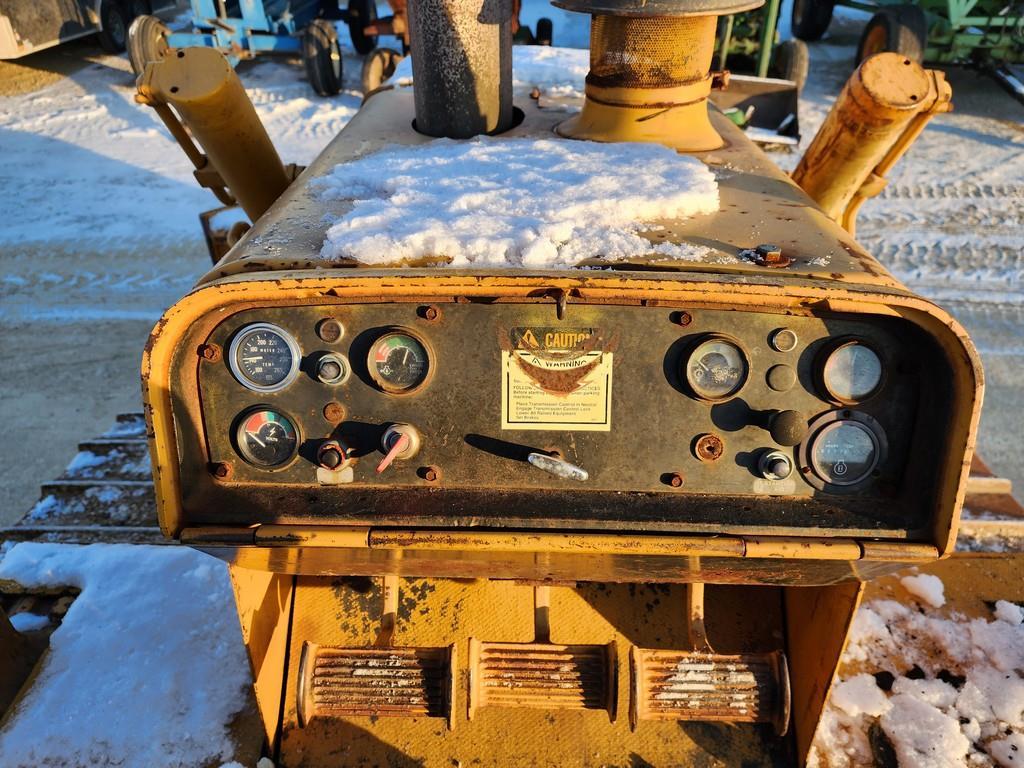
<point>147,669</point>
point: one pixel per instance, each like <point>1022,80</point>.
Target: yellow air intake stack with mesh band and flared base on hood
<point>650,71</point>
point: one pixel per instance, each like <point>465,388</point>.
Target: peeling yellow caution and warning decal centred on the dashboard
<point>557,378</point>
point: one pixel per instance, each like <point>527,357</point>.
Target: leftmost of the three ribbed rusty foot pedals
<point>401,682</point>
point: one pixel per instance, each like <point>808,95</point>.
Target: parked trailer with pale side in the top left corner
<point>29,26</point>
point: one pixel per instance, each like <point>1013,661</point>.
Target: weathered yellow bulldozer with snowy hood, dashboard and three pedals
<point>619,511</point>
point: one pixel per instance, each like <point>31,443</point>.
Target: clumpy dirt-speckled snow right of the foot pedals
<point>931,692</point>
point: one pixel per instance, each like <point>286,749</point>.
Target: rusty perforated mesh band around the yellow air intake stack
<point>650,53</point>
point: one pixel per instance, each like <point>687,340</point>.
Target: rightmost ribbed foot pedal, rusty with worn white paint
<point>681,686</point>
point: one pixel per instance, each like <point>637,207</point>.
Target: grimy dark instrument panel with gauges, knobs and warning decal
<point>478,414</point>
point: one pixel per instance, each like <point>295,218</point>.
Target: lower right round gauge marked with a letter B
<point>844,450</point>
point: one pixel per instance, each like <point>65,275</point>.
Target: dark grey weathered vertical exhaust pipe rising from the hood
<point>462,66</point>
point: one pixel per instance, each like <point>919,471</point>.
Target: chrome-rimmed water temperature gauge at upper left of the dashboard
<point>265,358</point>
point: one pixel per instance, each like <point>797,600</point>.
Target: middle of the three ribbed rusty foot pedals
<point>542,676</point>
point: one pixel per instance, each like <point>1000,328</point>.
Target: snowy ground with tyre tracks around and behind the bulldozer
<point>75,311</point>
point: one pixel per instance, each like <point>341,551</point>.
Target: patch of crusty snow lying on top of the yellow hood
<point>515,202</point>
